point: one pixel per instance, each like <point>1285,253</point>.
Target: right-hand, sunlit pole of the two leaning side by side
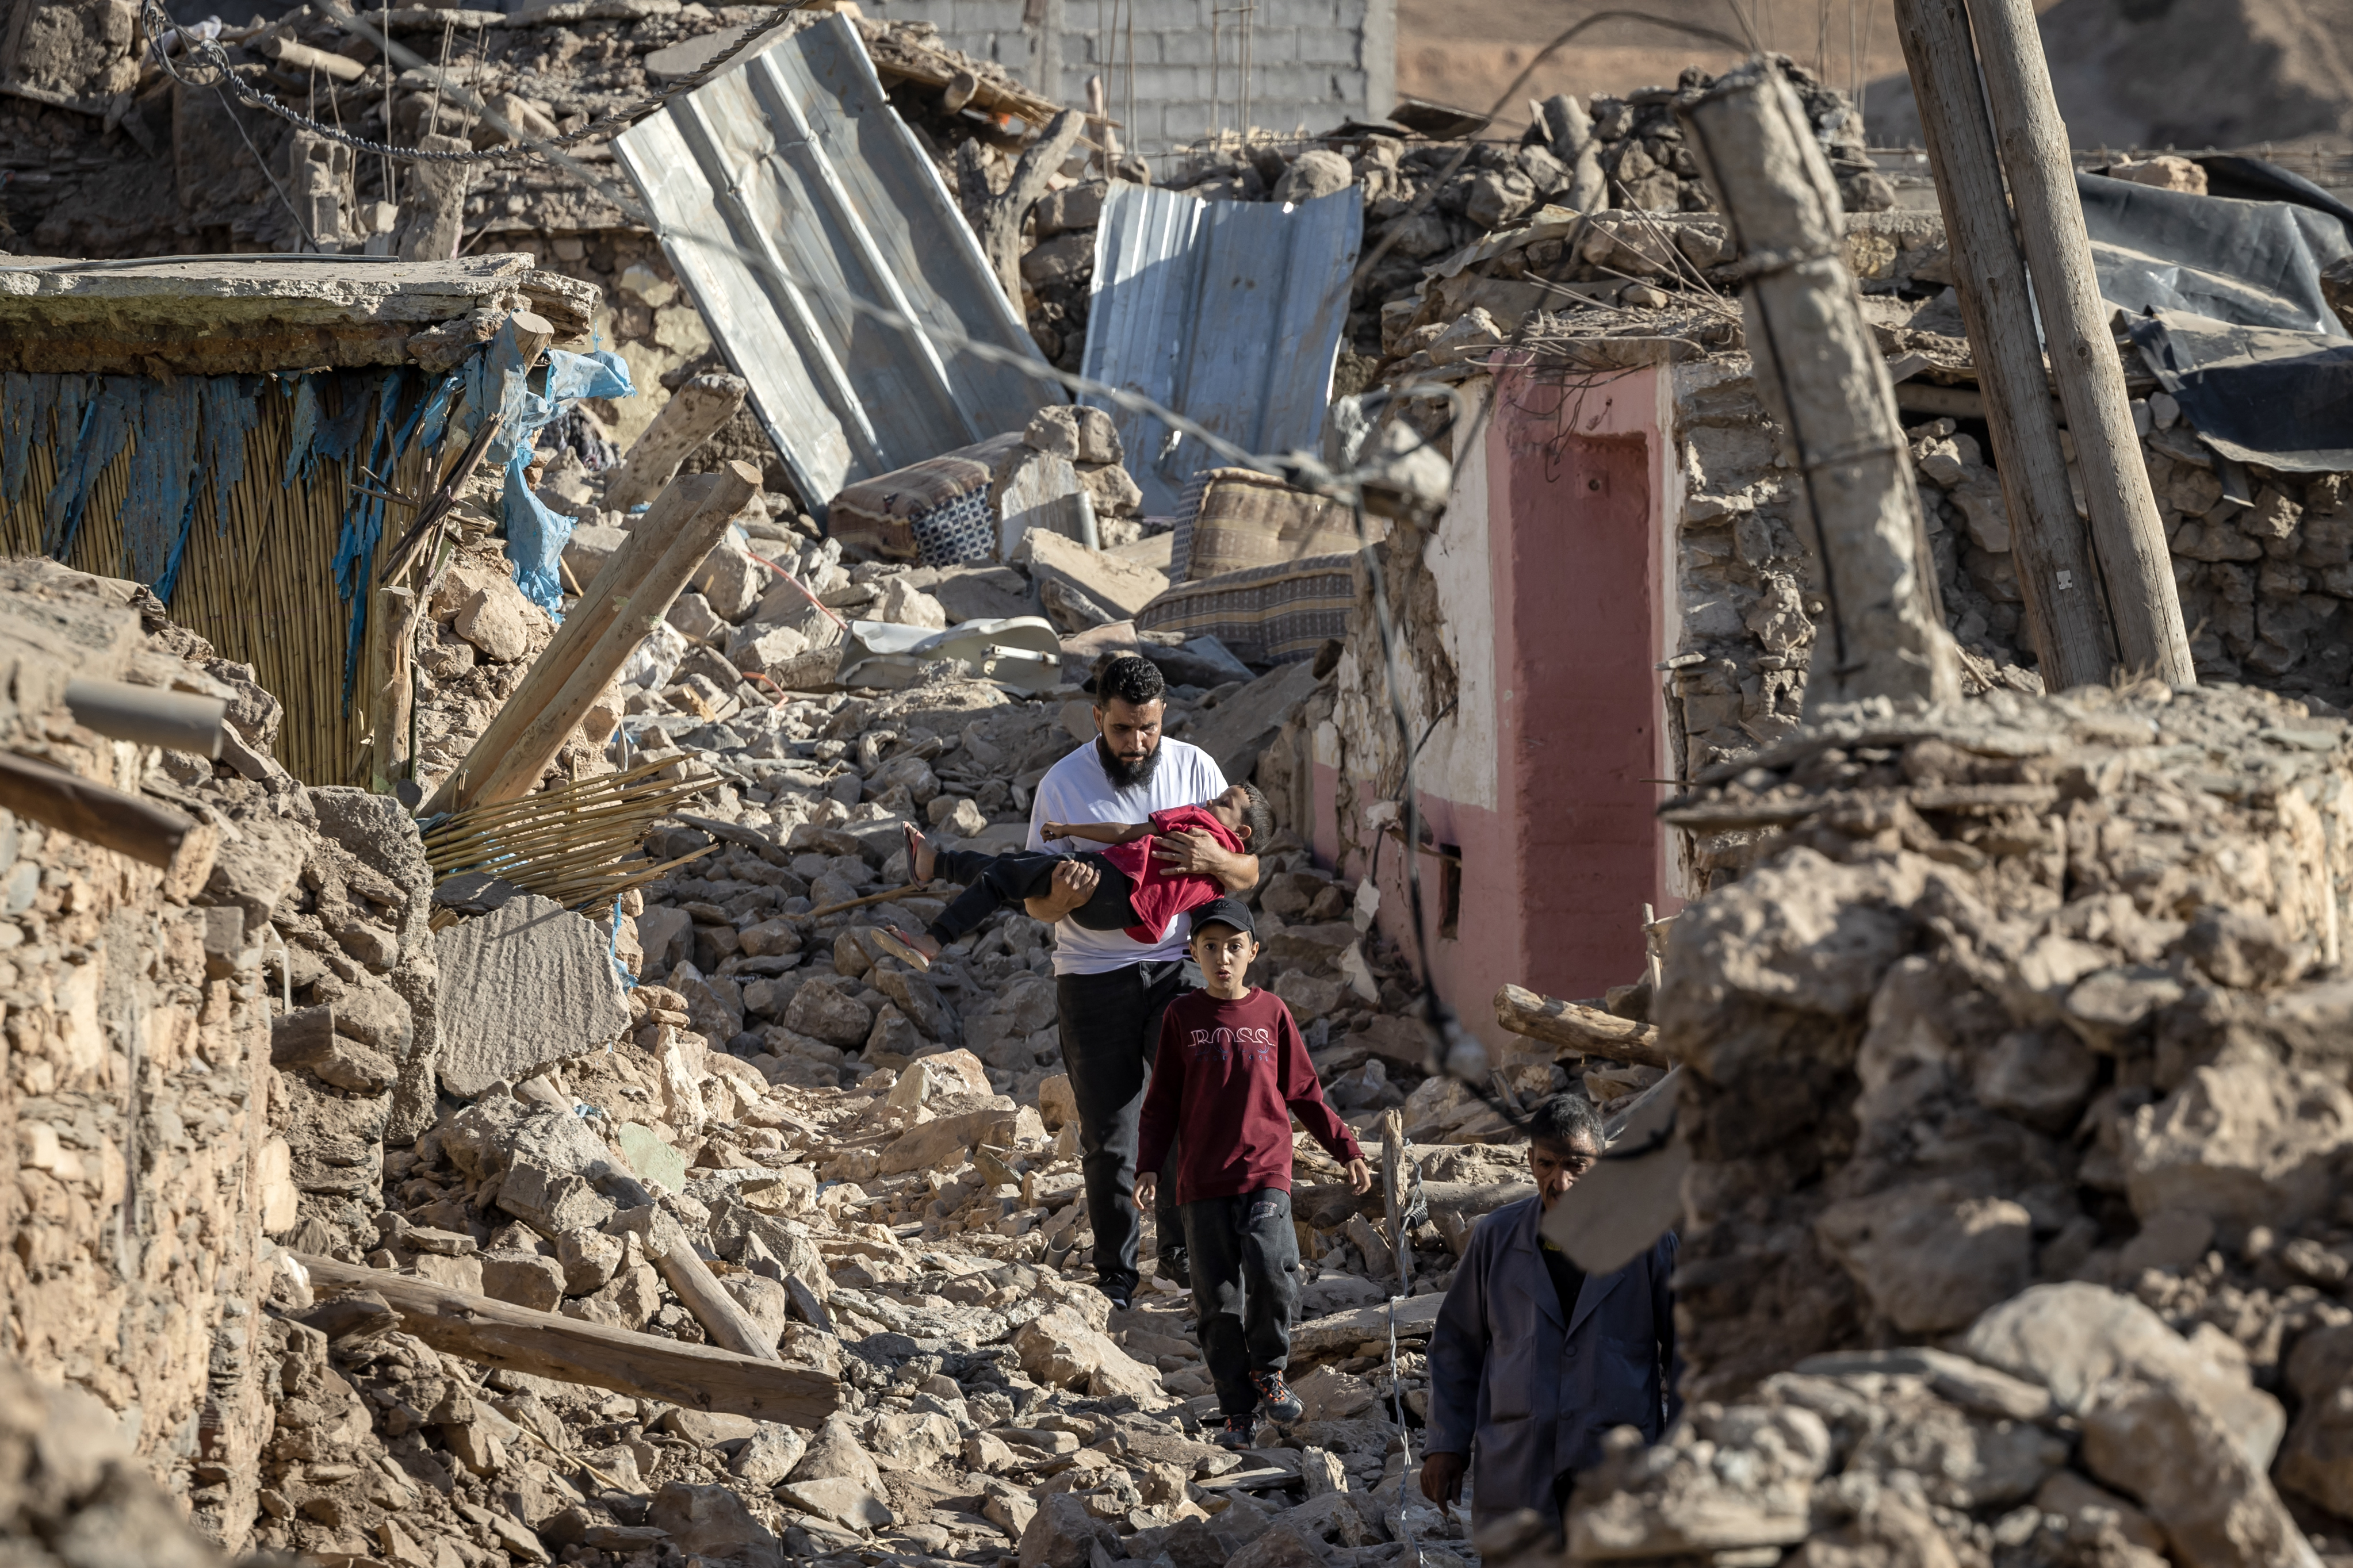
<point>2138,568</point>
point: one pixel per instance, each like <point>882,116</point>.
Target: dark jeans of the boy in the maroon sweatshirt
<point>1246,1289</point>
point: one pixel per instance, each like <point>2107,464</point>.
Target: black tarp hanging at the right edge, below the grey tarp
<point>2262,396</point>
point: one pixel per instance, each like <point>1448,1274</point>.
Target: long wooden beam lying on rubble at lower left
<point>552,1346</point>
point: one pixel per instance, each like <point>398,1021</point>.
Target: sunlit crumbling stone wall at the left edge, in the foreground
<point>135,1087</point>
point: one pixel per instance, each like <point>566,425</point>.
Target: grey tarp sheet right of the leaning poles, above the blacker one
<point>2248,262</point>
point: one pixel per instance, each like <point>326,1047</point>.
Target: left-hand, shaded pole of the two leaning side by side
<point>2058,572</point>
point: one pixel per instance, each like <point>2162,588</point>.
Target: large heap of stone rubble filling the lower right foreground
<point>2018,1120</point>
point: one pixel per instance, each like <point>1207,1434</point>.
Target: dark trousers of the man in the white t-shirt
<point>1109,1036</point>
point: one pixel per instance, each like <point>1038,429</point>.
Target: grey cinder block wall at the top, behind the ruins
<point>1314,62</point>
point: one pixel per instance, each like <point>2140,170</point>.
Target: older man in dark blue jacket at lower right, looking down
<point>1533,1360</point>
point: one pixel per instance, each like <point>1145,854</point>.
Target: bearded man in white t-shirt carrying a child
<point>1114,989</point>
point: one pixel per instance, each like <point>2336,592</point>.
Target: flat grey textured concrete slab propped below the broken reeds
<point>524,986</point>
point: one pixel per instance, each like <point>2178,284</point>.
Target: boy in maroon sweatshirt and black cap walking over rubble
<point>1227,1080</point>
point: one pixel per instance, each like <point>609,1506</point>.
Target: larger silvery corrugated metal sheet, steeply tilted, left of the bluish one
<point>799,159</point>
